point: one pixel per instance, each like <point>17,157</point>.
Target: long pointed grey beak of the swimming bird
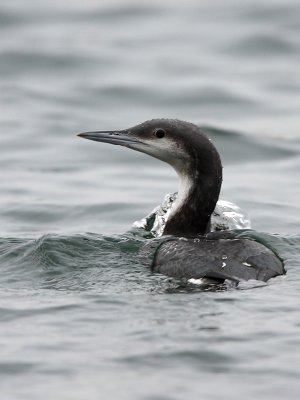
<point>121,138</point>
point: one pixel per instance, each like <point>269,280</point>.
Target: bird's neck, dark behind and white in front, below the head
<point>197,197</point>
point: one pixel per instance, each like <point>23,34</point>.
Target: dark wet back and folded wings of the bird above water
<point>234,259</point>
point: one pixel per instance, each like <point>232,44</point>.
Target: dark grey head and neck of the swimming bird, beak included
<point>195,159</point>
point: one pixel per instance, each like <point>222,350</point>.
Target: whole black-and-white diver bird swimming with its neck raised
<point>190,250</point>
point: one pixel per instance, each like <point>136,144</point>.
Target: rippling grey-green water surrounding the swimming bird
<point>80,316</point>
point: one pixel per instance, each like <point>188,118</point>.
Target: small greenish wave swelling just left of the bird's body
<point>77,262</point>
